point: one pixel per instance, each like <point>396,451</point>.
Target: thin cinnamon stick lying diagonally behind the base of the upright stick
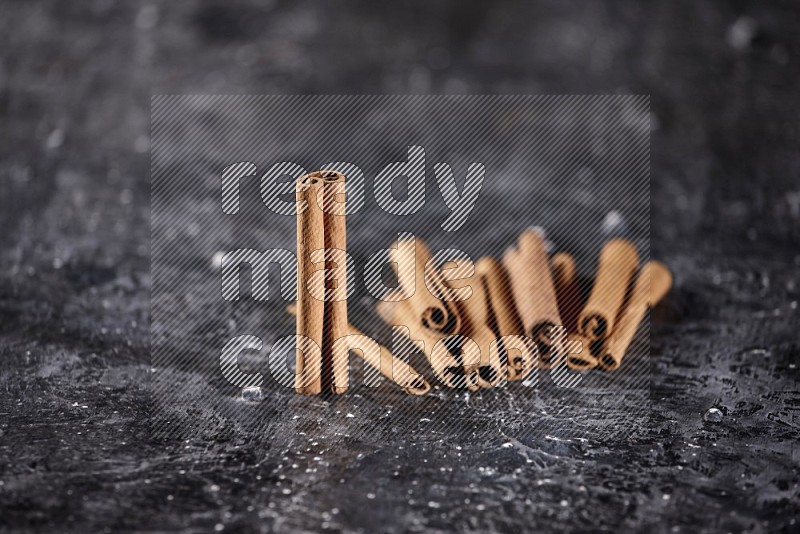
<point>382,360</point>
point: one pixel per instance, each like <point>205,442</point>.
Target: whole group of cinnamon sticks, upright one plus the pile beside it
<point>479,324</point>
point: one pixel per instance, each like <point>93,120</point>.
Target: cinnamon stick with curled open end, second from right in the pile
<point>618,261</point>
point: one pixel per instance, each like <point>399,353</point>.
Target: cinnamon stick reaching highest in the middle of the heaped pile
<point>535,296</point>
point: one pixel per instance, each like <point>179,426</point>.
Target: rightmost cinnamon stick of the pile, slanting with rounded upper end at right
<point>652,283</point>
